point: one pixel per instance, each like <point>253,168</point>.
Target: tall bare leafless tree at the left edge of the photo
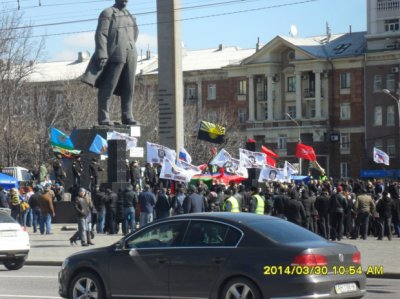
<point>18,54</point>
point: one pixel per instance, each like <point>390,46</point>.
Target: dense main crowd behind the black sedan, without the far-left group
<point>344,209</point>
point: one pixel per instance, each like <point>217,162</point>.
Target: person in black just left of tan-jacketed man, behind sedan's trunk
<point>337,206</point>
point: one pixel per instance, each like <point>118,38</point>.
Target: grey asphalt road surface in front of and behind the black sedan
<point>34,282</point>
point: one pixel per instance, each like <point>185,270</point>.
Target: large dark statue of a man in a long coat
<point>112,67</point>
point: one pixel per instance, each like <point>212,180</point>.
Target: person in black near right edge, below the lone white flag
<point>385,208</point>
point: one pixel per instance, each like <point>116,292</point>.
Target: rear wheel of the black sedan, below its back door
<point>240,288</point>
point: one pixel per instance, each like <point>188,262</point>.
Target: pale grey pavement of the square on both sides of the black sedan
<point>53,249</point>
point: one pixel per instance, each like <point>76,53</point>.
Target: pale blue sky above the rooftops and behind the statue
<point>68,25</point>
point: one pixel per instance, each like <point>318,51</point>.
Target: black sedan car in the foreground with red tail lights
<point>218,256</point>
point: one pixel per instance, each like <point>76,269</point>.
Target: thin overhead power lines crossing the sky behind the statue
<point>155,23</point>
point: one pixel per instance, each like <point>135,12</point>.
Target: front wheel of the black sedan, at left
<point>86,285</point>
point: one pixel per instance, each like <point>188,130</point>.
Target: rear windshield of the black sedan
<point>284,232</point>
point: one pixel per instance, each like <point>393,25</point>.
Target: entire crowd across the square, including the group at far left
<point>333,209</point>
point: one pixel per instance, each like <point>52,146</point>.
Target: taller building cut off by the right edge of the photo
<point>382,62</point>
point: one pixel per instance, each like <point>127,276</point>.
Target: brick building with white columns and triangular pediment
<point>308,90</point>
